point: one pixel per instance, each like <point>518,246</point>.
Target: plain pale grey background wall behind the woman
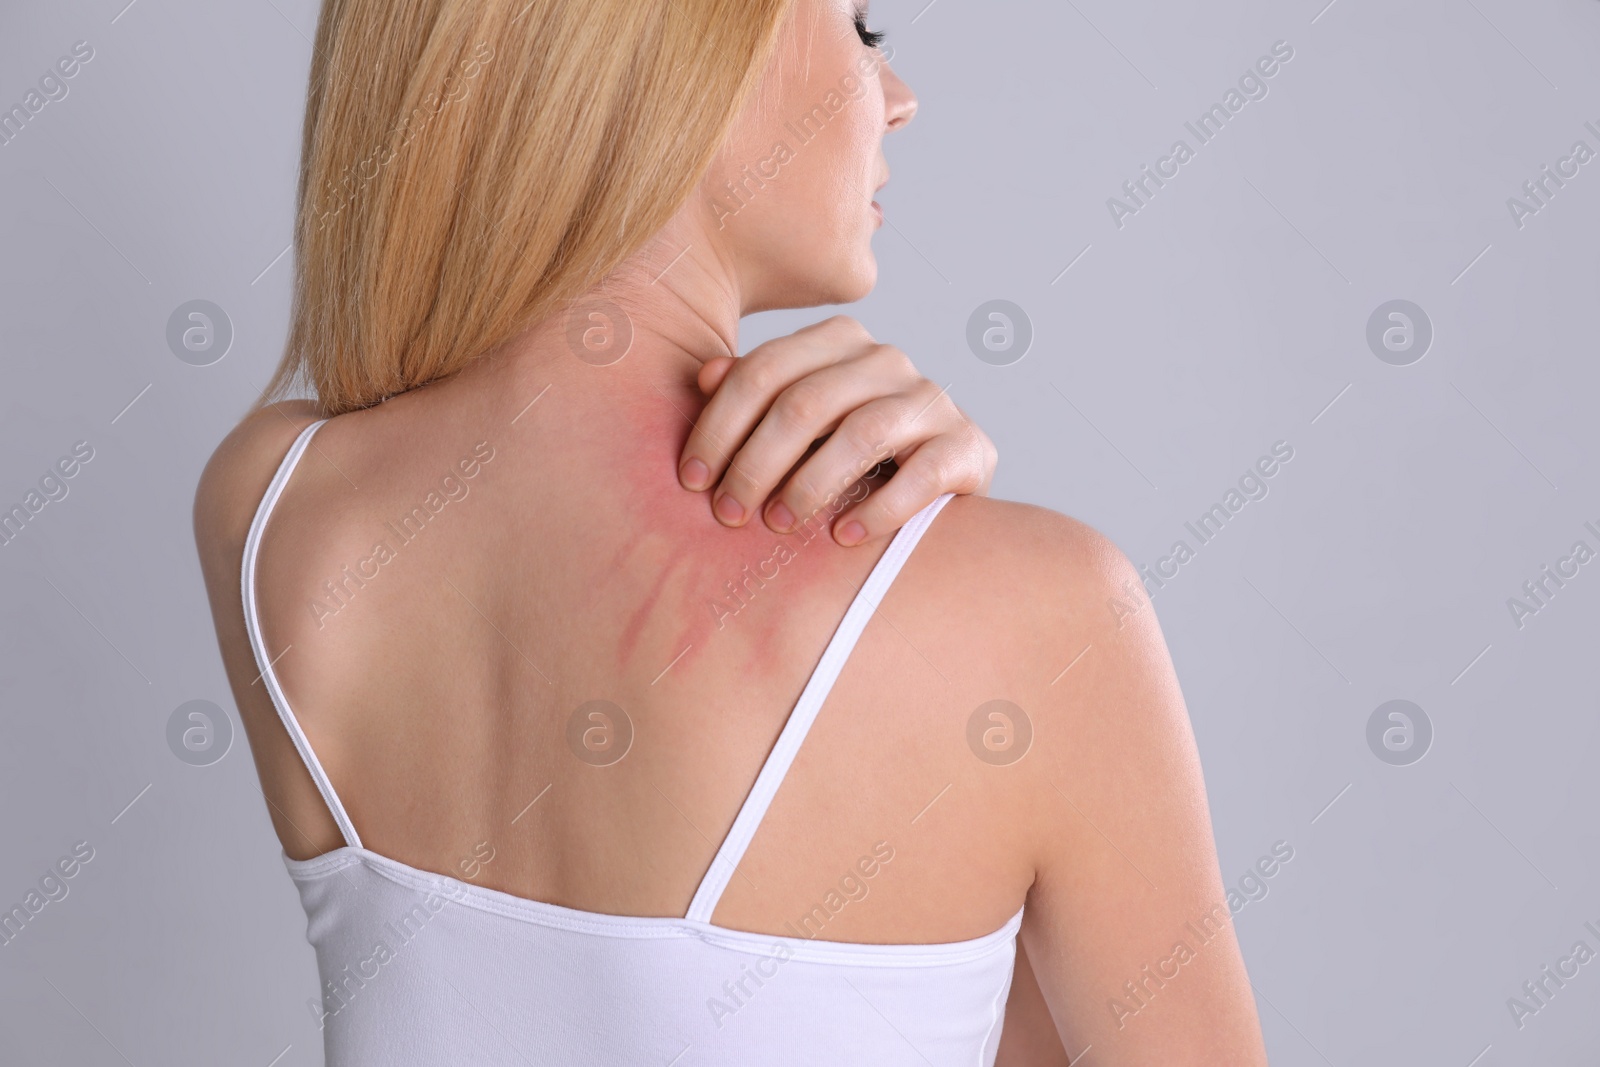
<point>1230,314</point>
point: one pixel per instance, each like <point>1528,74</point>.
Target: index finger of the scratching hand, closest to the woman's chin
<point>750,388</point>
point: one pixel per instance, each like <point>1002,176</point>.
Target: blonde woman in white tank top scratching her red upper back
<point>529,717</point>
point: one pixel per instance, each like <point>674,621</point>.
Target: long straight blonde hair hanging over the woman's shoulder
<point>471,167</point>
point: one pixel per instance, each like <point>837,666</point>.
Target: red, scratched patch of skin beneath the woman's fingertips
<point>671,575</point>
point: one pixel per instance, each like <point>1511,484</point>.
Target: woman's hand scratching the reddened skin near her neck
<point>830,380</point>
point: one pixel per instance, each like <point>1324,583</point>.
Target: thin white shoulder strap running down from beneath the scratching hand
<point>806,711</point>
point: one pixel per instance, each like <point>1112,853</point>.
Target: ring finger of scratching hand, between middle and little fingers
<point>887,426</point>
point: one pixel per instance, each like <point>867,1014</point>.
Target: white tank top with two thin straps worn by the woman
<point>423,969</point>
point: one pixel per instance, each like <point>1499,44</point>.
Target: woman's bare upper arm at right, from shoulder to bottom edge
<point>1127,929</point>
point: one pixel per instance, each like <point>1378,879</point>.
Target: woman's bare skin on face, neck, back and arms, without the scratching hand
<point>439,690</point>
